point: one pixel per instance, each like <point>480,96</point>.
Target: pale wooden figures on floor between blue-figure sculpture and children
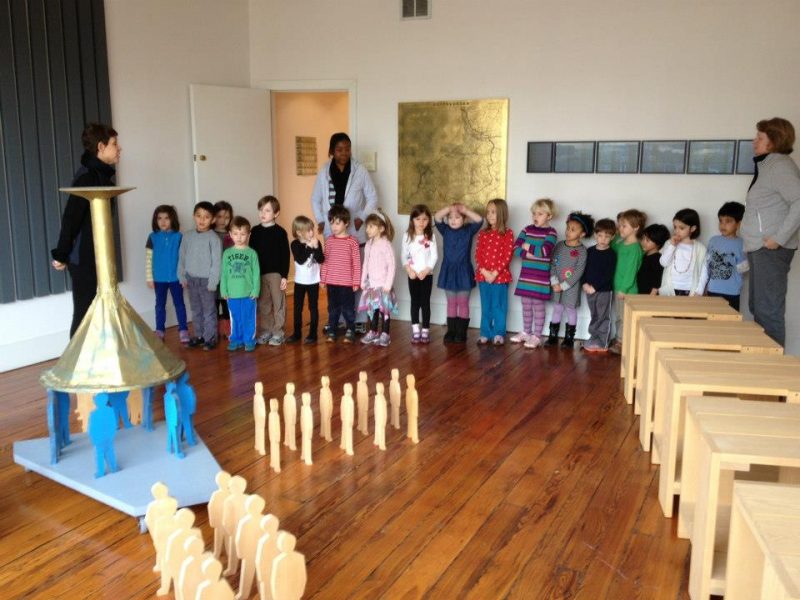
<point>347,411</point>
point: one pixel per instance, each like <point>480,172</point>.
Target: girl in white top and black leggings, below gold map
<point>419,259</point>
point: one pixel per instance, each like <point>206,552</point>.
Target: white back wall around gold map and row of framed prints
<point>578,70</point>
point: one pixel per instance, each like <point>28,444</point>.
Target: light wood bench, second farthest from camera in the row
<point>658,333</point>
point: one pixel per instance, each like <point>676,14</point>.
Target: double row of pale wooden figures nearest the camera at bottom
<point>251,541</point>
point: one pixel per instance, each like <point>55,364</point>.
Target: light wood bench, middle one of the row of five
<point>683,373</point>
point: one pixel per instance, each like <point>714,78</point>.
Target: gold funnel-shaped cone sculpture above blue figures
<point>113,349</point>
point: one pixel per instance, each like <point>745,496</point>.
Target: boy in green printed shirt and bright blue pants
<point>240,285</point>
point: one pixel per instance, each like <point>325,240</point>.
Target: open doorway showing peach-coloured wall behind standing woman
<point>311,116</point>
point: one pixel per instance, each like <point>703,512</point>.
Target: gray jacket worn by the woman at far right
<point>773,204</point>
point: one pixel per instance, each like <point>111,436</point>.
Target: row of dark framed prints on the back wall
<point>695,157</point>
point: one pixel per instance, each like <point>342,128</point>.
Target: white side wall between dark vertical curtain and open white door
<point>155,49</point>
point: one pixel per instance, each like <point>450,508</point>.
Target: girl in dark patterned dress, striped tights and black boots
<point>569,260</point>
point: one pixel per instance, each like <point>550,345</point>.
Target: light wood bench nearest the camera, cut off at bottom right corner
<point>764,543</point>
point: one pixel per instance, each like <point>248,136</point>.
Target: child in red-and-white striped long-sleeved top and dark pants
<point>341,273</point>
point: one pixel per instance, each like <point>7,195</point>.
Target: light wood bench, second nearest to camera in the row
<point>724,438</point>
